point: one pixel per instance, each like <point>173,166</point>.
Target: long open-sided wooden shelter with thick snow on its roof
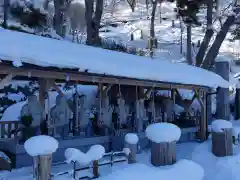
<point>49,61</point>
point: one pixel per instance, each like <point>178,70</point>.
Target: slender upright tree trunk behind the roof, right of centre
<point>152,28</point>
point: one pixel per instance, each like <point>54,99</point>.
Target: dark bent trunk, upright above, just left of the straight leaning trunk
<point>208,35</point>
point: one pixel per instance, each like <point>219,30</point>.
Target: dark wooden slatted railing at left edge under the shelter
<point>7,129</point>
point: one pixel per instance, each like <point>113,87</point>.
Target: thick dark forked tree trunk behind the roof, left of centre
<point>93,15</point>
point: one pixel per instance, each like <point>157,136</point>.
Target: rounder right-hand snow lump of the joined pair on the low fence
<point>96,152</point>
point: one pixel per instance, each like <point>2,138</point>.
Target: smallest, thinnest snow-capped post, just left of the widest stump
<point>131,142</point>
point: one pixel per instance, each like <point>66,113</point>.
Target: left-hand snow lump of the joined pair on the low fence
<point>75,155</point>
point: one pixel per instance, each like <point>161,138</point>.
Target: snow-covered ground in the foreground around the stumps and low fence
<point>226,168</point>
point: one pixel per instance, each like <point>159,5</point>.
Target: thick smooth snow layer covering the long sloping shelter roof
<point>45,52</point>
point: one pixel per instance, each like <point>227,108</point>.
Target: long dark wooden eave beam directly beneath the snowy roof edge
<point>92,78</point>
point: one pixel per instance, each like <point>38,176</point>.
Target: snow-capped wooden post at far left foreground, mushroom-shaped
<point>41,149</point>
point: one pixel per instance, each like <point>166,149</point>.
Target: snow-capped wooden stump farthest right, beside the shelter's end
<point>222,138</point>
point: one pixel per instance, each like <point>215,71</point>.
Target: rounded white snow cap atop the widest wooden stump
<point>163,132</point>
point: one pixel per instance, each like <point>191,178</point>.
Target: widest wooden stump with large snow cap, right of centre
<point>163,137</point>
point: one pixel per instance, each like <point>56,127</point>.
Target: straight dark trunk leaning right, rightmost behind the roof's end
<point>214,50</point>
